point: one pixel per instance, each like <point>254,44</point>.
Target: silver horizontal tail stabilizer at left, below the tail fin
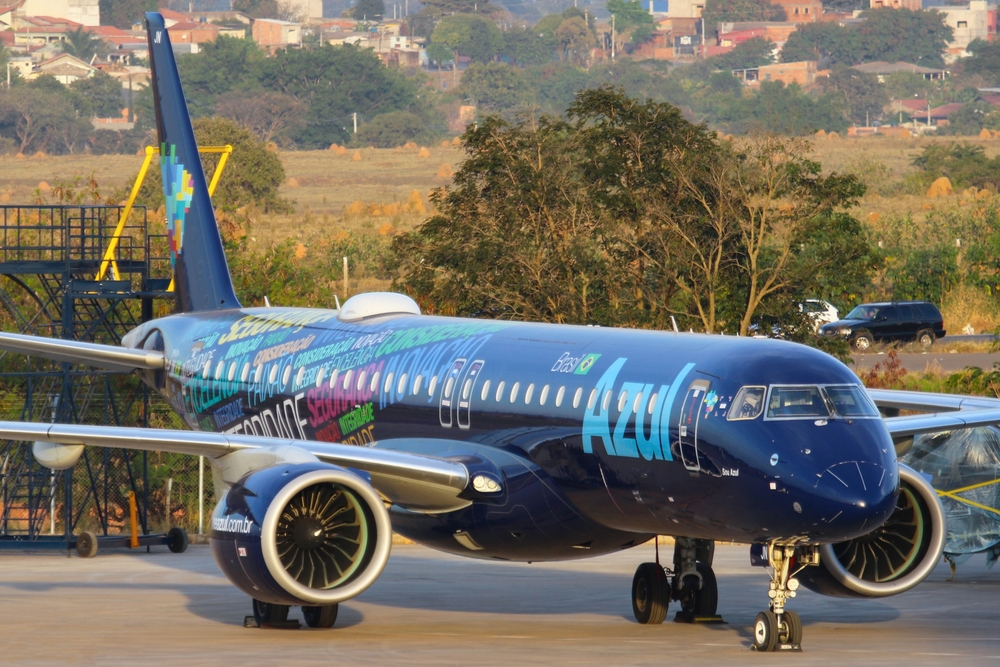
<point>110,357</point>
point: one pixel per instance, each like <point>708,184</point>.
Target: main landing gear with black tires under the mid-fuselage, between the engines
<point>691,582</point>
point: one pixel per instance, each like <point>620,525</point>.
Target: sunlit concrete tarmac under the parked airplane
<point>427,608</point>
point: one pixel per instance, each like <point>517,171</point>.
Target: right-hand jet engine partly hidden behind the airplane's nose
<point>891,559</point>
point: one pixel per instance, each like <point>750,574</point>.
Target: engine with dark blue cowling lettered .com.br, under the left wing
<point>301,534</point>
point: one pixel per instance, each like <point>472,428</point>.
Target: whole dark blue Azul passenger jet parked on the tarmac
<point>327,430</point>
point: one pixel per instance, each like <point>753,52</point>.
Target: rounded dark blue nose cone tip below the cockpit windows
<point>858,497</point>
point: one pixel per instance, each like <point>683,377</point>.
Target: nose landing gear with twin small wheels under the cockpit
<point>780,629</point>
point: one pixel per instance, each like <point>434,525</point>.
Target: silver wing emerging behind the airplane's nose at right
<point>940,412</point>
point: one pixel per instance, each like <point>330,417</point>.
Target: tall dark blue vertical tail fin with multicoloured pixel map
<point>201,275</point>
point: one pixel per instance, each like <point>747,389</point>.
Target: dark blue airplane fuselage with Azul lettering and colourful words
<point>607,434</point>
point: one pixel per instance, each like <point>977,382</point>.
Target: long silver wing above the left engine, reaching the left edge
<point>416,482</point>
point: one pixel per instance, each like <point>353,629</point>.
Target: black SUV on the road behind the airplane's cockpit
<point>899,320</point>
